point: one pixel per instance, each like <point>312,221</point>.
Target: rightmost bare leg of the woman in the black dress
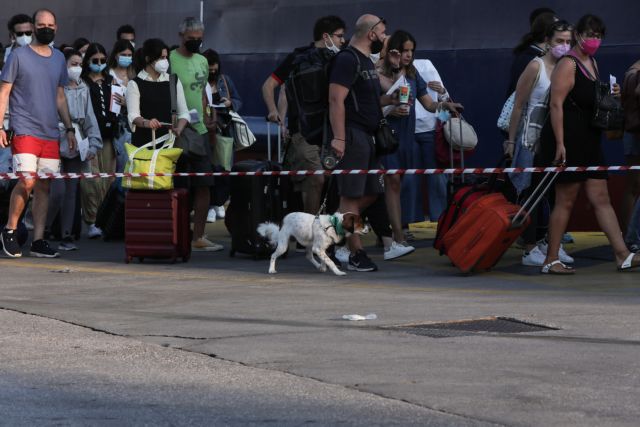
<point>598,195</point>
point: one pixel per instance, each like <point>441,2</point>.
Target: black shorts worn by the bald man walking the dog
<point>359,153</point>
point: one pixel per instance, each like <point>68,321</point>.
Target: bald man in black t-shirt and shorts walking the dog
<point>355,110</point>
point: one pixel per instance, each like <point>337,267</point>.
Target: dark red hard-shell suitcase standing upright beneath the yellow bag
<point>157,225</point>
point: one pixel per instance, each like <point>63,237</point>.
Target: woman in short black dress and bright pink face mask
<point>569,139</point>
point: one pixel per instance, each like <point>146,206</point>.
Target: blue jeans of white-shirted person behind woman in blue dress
<point>436,184</point>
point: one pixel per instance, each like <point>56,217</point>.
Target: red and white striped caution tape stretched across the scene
<point>478,171</point>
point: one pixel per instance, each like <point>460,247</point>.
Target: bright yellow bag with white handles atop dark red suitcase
<point>147,159</point>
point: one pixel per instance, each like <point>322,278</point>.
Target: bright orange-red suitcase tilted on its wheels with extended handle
<point>489,227</point>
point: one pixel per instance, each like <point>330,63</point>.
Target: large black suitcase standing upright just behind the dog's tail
<point>253,200</point>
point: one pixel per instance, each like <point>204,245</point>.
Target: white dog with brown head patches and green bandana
<point>317,234</point>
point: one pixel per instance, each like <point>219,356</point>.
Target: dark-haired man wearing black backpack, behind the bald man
<point>328,33</point>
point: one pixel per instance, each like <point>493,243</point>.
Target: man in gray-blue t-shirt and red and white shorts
<point>33,79</point>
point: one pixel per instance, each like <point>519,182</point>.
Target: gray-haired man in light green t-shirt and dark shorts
<point>193,69</point>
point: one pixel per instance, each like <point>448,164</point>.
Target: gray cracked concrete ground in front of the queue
<point>87,339</point>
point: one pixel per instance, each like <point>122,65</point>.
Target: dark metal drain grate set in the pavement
<point>492,325</point>
